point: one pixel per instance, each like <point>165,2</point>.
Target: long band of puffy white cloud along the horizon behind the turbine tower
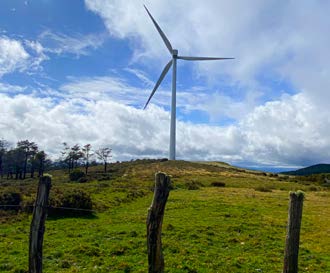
<point>288,132</point>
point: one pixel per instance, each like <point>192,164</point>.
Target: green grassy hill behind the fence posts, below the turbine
<point>239,227</point>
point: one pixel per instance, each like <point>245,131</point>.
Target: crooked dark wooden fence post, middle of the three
<point>154,223</point>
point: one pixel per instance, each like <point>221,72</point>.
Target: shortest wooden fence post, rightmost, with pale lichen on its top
<point>293,232</point>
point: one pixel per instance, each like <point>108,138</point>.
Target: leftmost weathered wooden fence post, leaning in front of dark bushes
<point>37,228</point>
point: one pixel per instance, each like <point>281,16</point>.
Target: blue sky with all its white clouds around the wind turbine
<point>81,72</point>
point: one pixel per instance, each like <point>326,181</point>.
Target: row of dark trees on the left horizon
<point>26,158</point>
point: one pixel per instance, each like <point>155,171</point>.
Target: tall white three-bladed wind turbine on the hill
<point>175,56</point>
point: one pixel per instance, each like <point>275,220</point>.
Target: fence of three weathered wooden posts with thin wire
<point>154,221</point>
